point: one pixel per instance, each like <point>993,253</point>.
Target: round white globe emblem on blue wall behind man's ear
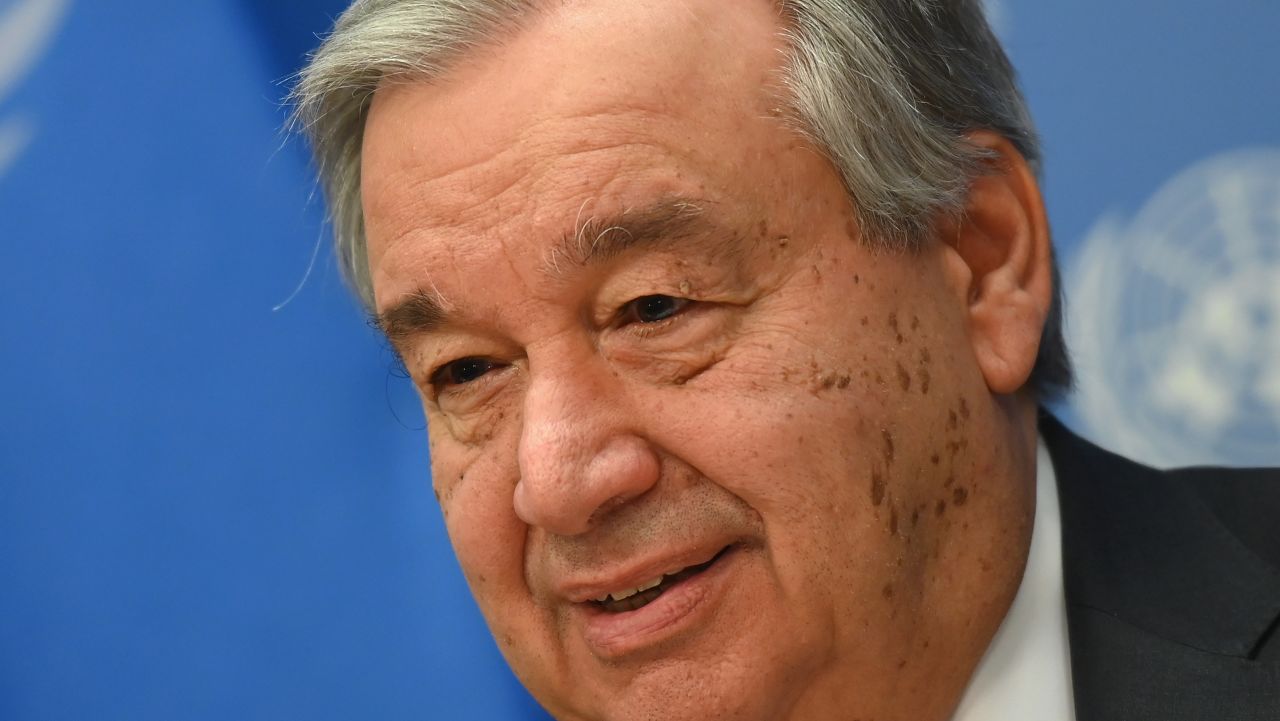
<point>1174,320</point>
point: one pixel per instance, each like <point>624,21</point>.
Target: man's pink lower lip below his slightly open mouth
<point>612,637</point>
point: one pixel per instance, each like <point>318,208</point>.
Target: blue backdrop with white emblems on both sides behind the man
<point>214,495</point>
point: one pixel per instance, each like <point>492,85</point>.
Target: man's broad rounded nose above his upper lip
<point>580,455</point>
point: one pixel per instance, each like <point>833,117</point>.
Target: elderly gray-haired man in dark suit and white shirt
<point>732,321</point>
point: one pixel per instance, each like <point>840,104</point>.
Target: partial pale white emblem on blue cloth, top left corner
<point>26,30</point>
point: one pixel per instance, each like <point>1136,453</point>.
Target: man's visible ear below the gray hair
<point>999,263</point>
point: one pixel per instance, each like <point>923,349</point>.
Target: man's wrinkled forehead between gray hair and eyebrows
<point>588,106</point>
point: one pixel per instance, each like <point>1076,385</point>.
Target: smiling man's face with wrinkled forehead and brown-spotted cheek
<point>653,348</point>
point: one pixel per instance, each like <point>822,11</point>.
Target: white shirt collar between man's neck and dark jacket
<point>1027,670</point>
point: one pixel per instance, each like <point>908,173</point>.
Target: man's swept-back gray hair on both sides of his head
<point>889,89</point>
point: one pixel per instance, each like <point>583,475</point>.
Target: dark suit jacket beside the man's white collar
<point>1173,587</point>
